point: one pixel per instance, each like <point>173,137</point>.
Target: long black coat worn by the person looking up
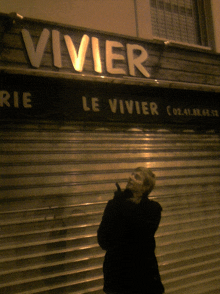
<point>127,233</point>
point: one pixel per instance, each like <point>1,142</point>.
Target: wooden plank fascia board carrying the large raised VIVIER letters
<point>54,50</point>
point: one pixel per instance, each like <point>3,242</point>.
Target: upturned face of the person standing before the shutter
<point>136,182</point>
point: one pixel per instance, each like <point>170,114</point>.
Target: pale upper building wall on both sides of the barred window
<point>126,17</point>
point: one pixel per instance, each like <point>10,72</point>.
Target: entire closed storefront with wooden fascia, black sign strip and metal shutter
<point>81,109</point>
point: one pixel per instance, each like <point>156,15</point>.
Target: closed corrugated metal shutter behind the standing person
<point>56,180</point>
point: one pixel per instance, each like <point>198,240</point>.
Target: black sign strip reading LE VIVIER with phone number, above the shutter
<point>35,98</point>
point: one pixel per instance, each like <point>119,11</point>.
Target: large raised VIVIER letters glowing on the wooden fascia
<point>115,54</point>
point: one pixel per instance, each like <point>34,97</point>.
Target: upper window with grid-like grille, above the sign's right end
<point>179,20</point>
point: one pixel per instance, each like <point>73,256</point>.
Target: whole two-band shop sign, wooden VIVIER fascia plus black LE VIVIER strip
<point>39,50</point>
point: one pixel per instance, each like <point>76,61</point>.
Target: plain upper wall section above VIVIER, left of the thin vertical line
<point>116,16</point>
